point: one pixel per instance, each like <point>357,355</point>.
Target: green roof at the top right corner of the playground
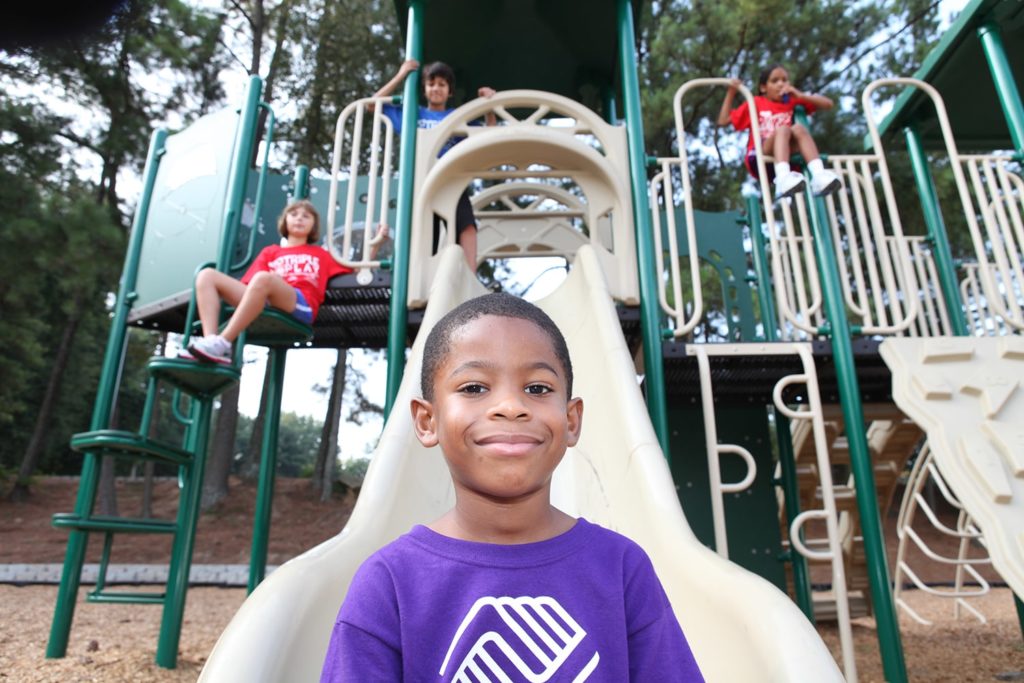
<point>959,70</point>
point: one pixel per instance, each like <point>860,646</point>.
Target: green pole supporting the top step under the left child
<point>268,467</point>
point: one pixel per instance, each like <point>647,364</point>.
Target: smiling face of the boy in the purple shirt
<point>500,410</point>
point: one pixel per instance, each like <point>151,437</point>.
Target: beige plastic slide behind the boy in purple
<point>742,628</point>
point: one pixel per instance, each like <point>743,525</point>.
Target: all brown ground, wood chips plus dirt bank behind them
<point>118,643</point>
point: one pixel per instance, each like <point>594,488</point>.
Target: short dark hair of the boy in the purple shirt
<point>439,343</point>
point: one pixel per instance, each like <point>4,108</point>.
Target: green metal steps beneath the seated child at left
<point>196,385</point>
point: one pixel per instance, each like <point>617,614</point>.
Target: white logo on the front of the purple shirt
<point>533,637</point>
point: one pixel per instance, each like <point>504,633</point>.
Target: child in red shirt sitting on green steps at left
<point>292,278</point>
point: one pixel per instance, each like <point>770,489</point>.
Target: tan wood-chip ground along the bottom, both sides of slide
<point>118,643</point>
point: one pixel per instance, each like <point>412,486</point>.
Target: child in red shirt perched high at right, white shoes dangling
<point>776,102</point>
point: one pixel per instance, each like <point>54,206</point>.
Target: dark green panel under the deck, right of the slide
<point>752,517</point>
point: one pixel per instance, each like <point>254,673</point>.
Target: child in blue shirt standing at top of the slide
<point>439,86</point>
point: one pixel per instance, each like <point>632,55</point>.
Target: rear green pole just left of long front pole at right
<point>784,438</point>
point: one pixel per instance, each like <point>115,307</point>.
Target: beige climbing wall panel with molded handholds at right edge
<point>966,393</point>
